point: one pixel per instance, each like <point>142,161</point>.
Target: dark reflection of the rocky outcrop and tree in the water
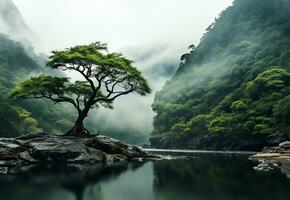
<point>60,182</point>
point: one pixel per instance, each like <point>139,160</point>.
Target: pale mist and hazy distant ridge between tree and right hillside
<point>132,115</point>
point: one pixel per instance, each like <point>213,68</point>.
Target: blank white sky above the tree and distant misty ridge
<point>120,23</point>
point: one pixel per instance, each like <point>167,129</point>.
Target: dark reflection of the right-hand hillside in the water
<point>217,177</point>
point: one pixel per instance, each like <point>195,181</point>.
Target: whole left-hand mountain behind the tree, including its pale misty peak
<point>18,61</point>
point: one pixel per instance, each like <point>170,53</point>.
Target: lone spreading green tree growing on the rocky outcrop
<point>106,76</point>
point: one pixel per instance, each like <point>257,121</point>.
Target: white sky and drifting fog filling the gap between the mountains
<point>153,33</point>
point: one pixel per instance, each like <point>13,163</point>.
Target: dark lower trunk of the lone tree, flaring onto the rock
<point>78,130</point>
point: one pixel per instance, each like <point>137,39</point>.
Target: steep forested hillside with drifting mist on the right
<point>232,91</point>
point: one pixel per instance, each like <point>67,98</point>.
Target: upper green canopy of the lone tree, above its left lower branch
<point>95,57</point>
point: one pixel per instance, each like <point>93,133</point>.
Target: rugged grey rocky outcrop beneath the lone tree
<point>47,148</point>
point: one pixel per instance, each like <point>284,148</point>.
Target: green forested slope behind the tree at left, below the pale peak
<point>29,116</point>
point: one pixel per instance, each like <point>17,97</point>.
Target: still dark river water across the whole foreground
<point>202,176</point>
